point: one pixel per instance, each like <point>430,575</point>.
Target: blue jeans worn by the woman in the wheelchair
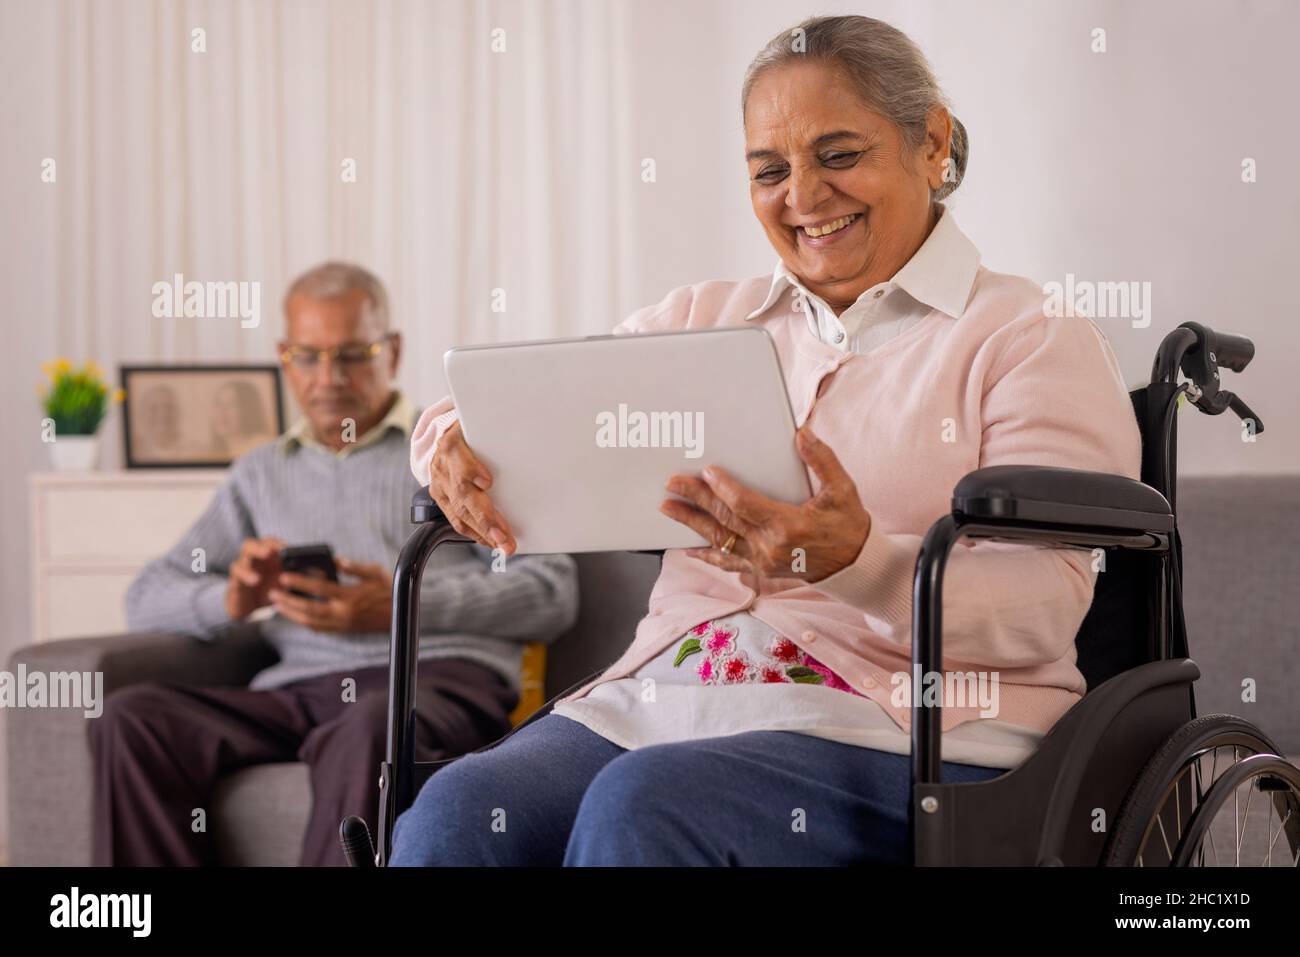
<point>556,793</point>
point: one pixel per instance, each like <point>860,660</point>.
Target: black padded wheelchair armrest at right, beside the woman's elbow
<point>1061,497</point>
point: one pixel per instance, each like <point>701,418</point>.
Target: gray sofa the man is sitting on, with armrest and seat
<point>258,816</point>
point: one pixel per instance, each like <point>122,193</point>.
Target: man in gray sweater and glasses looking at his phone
<point>340,478</point>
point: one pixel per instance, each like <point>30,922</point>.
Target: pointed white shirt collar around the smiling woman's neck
<point>941,275</point>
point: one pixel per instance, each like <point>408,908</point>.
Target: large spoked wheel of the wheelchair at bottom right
<point>1186,808</point>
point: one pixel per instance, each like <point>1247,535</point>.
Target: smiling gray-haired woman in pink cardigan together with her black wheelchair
<point>783,700</point>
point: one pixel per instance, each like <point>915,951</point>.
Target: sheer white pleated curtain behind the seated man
<point>492,167</point>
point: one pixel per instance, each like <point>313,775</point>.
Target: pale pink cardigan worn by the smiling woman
<point>1000,384</point>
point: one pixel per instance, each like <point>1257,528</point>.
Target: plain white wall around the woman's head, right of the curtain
<point>1116,167</point>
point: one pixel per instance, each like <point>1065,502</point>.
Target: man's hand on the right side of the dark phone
<point>330,607</point>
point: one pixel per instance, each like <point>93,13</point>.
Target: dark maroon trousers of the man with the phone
<point>159,751</point>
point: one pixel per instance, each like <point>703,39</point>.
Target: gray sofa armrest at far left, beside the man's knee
<point>50,768</point>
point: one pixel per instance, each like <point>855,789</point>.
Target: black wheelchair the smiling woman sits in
<point>1130,776</point>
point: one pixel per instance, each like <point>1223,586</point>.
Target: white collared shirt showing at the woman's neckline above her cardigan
<point>939,276</point>
